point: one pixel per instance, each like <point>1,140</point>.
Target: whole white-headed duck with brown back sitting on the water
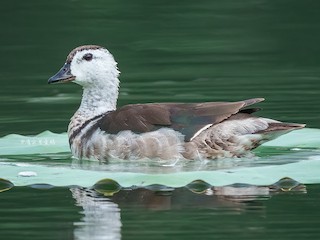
<point>99,130</point>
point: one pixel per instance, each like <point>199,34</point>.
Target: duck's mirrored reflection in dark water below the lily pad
<point>102,207</point>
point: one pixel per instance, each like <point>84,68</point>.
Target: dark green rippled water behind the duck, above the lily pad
<point>211,50</point>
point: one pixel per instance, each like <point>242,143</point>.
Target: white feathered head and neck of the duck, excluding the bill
<point>98,77</point>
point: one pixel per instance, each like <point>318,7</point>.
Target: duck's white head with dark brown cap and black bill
<point>88,66</point>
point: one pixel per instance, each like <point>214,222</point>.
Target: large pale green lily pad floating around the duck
<point>61,172</point>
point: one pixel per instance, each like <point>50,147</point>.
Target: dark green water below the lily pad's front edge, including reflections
<point>28,213</point>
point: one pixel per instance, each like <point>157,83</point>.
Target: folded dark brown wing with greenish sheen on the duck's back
<point>187,118</point>
